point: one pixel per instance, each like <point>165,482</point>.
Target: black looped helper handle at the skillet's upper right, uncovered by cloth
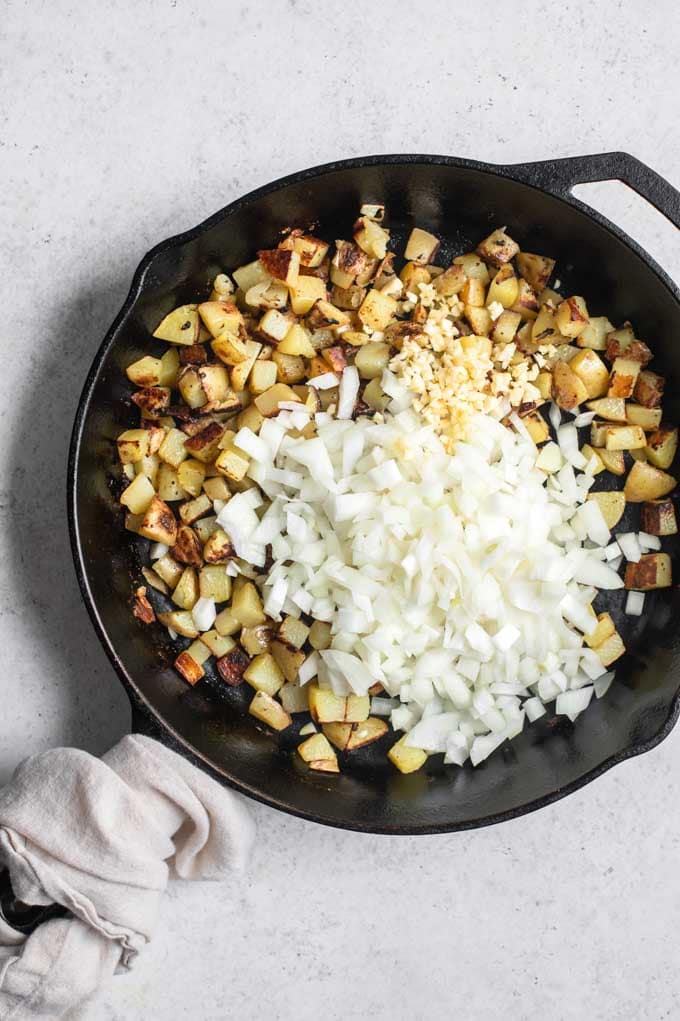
<point>561,176</point>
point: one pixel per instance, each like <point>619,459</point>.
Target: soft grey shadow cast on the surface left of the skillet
<point>95,710</point>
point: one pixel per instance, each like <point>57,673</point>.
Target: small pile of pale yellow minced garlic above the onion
<point>455,377</point>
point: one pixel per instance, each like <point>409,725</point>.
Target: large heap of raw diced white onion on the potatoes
<point>461,582</point>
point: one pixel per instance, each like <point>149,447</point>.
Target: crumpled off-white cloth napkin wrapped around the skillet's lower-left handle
<point>101,838</point>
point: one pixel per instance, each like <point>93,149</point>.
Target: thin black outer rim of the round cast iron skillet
<point>145,717</point>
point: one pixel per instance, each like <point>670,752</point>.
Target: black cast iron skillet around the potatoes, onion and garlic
<point>462,201</point>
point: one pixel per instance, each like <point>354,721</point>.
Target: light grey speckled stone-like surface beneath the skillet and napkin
<point>127,122</point>
